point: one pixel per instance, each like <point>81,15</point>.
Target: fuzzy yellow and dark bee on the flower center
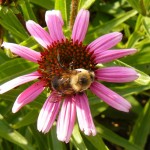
<point>72,81</point>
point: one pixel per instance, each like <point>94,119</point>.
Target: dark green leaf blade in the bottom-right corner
<point>142,127</point>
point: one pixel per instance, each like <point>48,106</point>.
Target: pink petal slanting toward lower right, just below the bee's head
<point>110,97</point>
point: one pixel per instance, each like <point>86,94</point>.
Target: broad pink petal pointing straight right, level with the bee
<point>116,74</point>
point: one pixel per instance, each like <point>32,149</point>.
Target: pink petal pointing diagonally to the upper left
<point>39,34</point>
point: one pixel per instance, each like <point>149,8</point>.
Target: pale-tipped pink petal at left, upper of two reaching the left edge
<point>23,51</point>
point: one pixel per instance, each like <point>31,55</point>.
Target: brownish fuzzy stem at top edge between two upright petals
<point>73,13</point>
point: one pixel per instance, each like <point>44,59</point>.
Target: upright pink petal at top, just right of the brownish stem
<point>80,26</point>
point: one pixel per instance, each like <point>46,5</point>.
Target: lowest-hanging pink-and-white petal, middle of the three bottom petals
<point>66,120</point>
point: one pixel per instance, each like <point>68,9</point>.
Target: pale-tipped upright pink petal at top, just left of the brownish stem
<point>54,23</point>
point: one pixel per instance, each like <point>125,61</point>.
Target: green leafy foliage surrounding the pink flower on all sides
<point>116,130</point>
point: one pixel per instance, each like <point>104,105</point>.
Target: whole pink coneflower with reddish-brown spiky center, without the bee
<point>59,55</point>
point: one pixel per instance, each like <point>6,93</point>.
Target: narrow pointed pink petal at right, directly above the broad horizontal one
<point>110,55</point>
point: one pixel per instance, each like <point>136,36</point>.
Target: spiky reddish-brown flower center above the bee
<point>62,56</point>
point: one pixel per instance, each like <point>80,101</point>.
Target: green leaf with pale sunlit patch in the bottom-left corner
<point>12,135</point>
